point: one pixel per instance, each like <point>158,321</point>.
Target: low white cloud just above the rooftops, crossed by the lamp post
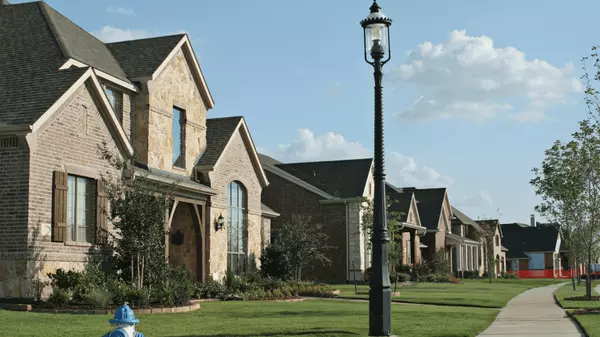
<point>401,170</point>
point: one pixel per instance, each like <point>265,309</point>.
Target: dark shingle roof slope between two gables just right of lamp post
<point>429,203</point>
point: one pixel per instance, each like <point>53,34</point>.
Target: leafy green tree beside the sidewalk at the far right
<point>569,184</point>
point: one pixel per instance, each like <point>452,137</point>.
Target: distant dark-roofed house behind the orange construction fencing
<point>532,248</point>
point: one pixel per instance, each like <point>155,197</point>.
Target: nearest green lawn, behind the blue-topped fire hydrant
<point>318,318</point>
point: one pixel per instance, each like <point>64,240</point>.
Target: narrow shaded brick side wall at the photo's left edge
<point>14,194</point>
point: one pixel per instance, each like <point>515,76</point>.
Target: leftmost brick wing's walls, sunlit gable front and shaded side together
<point>67,142</point>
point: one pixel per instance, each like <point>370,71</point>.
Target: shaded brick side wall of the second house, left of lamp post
<point>287,198</point>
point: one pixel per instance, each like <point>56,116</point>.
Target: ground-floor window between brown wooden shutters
<point>73,228</point>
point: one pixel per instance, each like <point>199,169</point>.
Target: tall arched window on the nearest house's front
<point>236,229</point>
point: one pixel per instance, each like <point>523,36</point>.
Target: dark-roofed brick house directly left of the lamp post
<point>331,193</point>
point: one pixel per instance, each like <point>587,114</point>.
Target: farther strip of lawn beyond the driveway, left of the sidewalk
<point>468,293</point>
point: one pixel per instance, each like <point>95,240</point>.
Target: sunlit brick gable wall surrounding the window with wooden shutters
<point>68,141</point>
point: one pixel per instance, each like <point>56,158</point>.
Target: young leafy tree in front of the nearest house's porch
<point>137,212</point>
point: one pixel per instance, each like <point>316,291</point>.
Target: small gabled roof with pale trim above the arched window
<point>219,132</point>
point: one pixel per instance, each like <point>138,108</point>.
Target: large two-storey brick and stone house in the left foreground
<point>64,92</point>
